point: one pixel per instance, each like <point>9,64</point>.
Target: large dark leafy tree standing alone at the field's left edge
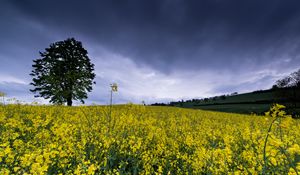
<point>63,73</point>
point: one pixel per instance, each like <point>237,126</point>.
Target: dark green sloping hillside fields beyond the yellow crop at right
<point>255,102</point>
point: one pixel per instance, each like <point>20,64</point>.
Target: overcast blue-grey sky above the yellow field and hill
<point>156,50</point>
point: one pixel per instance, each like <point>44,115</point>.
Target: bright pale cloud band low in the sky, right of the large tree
<point>143,83</point>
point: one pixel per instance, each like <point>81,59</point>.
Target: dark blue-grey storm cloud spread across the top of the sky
<point>179,34</point>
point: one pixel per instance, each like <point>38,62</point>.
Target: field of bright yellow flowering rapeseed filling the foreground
<point>145,140</point>
